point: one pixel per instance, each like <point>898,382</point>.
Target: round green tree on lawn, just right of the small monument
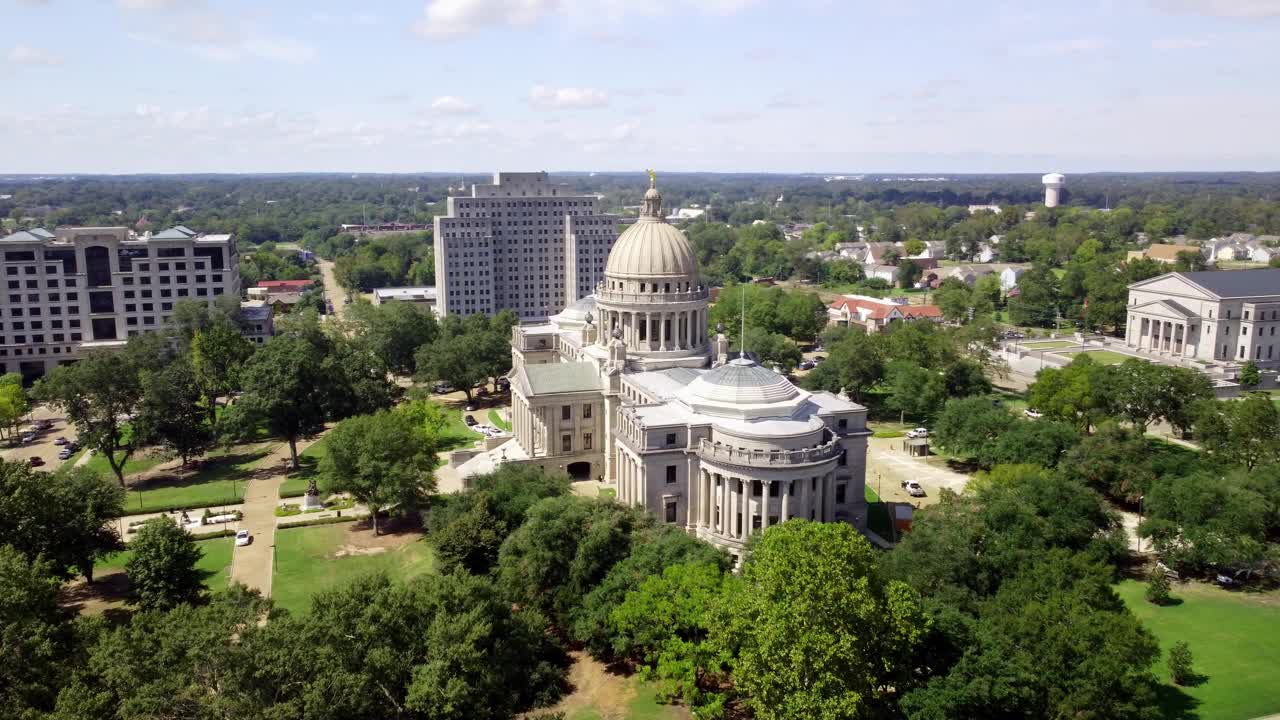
<point>383,461</point>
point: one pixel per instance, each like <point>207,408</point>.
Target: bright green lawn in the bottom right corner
<point>1235,639</point>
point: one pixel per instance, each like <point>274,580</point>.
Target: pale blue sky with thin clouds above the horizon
<point>920,86</point>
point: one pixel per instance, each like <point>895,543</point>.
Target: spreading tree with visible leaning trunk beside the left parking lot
<point>97,394</point>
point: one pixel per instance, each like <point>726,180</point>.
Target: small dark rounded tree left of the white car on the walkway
<point>162,567</point>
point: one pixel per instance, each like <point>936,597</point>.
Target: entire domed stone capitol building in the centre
<point>628,386</point>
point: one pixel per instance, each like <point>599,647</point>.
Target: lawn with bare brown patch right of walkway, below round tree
<point>307,563</point>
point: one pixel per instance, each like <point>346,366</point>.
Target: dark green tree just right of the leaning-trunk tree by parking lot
<point>171,411</point>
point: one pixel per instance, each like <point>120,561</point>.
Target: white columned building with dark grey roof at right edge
<point>1219,318</point>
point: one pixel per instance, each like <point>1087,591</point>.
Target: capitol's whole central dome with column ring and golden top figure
<point>653,295</point>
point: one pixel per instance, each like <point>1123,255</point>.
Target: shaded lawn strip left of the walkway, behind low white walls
<point>220,482</point>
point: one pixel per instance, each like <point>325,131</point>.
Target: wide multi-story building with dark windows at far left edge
<point>84,289</point>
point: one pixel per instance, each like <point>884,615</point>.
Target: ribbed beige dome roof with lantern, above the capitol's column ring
<point>652,249</point>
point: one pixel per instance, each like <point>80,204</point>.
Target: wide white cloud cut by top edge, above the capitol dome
<point>445,20</point>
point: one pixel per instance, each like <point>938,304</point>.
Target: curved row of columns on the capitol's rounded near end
<point>724,504</point>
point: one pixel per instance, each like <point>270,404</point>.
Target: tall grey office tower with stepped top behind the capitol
<point>523,244</point>
